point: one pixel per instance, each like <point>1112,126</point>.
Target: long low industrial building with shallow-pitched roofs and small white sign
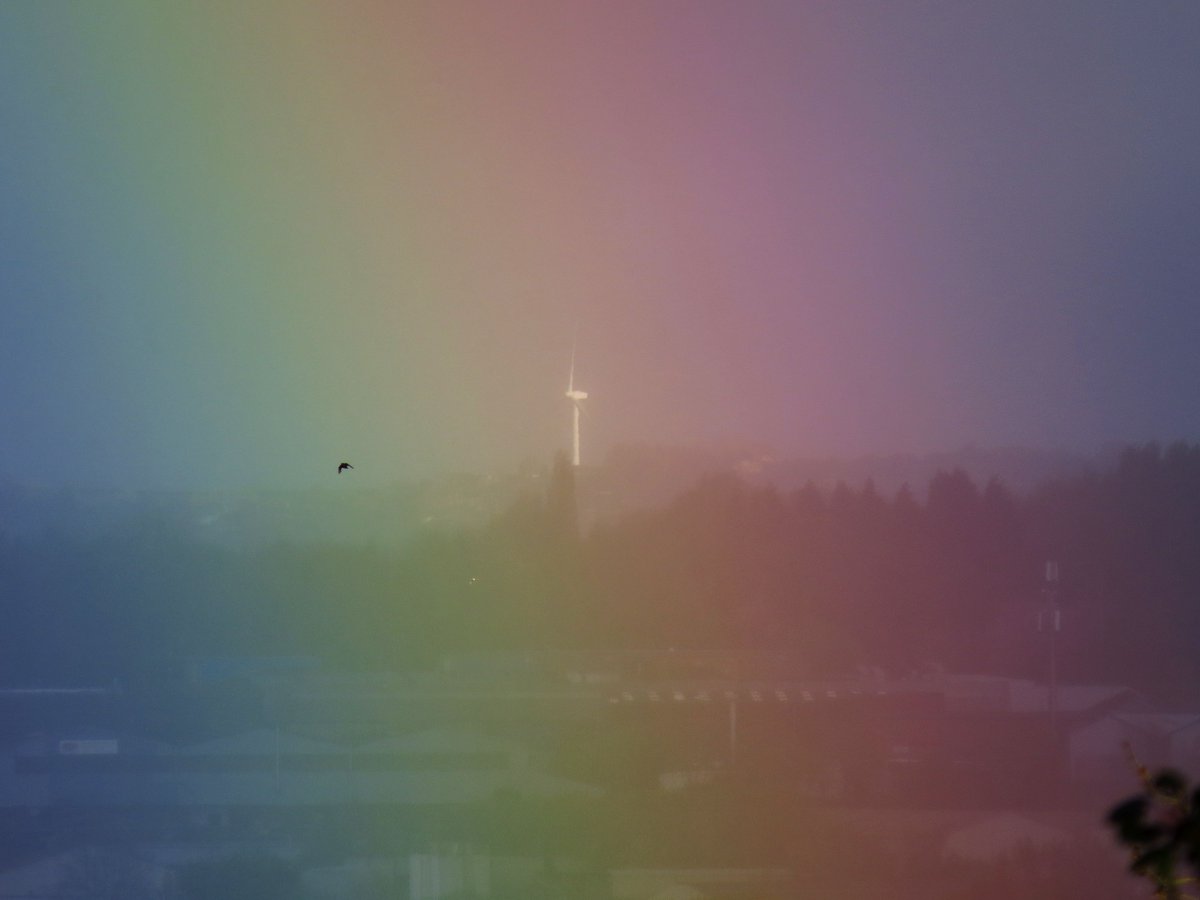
<point>272,770</point>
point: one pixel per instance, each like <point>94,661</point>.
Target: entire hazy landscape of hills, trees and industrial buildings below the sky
<point>537,686</point>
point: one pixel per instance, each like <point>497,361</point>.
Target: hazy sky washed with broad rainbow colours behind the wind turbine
<point>242,242</point>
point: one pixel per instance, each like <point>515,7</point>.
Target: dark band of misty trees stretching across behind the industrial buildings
<point>836,578</point>
